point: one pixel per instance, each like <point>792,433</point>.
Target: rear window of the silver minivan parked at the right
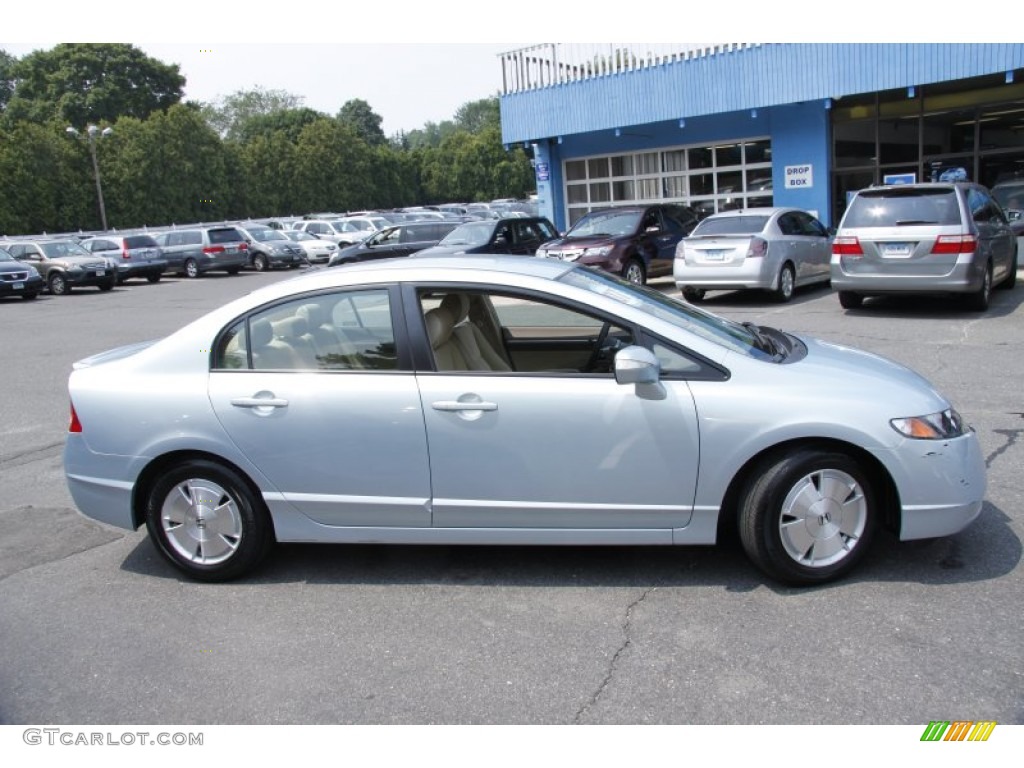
<point>898,207</point>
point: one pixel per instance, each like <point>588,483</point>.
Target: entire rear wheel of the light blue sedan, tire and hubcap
<point>205,521</point>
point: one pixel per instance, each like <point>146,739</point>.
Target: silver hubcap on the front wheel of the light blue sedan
<point>823,519</point>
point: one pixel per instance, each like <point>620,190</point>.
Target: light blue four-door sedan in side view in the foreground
<point>508,401</point>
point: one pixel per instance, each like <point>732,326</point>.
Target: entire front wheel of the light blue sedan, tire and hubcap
<point>808,518</point>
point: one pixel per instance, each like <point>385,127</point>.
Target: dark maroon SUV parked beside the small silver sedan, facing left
<point>635,242</point>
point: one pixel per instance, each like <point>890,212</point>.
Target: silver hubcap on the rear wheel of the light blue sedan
<point>202,522</point>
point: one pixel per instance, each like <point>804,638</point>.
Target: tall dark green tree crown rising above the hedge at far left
<point>83,83</point>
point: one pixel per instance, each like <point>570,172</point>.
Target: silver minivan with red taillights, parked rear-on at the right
<point>924,239</point>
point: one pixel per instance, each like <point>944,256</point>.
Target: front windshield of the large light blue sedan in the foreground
<point>718,330</point>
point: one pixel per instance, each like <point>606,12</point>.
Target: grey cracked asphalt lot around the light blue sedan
<point>97,628</point>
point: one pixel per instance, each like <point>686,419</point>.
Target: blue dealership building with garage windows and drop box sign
<point>752,125</point>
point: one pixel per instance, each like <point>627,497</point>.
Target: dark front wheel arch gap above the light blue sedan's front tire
<point>883,482</point>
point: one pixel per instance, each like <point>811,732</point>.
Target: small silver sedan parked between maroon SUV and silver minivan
<point>772,249</point>
